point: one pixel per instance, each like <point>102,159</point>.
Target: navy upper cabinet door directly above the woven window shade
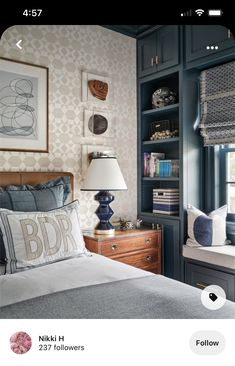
<point>198,37</point>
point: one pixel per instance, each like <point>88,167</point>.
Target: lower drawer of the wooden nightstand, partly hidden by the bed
<point>146,259</point>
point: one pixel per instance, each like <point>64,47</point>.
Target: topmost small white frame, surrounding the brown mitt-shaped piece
<point>86,93</point>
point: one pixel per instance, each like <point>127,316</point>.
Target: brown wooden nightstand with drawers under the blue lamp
<point>139,248</point>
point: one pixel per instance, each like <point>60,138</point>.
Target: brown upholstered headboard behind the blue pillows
<point>32,178</point>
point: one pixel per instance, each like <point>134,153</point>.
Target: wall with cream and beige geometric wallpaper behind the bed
<point>67,50</point>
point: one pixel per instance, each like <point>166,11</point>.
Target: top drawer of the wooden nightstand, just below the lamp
<point>113,247</point>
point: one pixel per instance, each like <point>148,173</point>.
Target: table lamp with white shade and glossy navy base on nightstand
<point>104,175</point>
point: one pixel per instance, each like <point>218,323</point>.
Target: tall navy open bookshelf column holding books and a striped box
<point>164,155</point>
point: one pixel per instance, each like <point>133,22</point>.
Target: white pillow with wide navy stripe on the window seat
<point>206,230</point>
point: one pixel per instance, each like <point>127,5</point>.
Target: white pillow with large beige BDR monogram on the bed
<point>34,239</point>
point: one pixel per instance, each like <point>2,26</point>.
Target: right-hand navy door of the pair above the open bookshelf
<point>167,47</point>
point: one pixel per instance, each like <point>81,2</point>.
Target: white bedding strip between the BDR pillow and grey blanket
<point>64,275</point>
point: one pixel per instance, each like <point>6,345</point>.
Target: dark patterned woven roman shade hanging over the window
<point>217,89</point>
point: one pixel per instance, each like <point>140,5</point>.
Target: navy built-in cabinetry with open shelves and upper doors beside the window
<point>173,56</point>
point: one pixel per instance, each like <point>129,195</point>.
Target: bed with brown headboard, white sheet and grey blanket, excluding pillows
<point>91,286</point>
